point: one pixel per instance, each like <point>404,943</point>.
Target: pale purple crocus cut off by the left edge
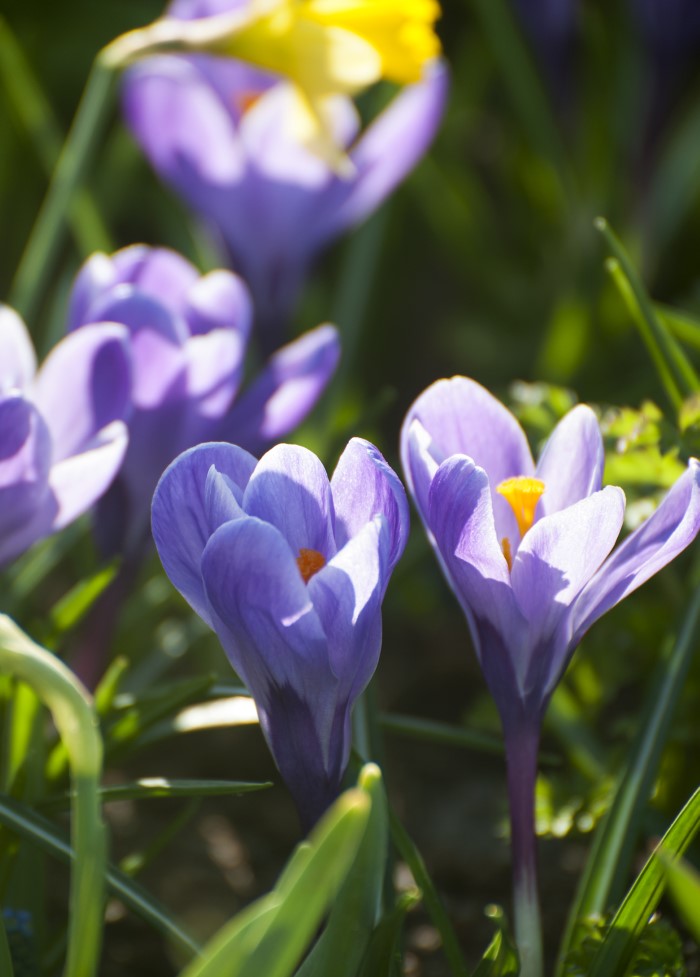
<point>62,430</point>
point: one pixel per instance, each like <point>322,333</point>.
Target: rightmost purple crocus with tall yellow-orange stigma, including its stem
<point>526,549</point>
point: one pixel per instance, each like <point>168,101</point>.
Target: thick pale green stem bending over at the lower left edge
<point>76,722</point>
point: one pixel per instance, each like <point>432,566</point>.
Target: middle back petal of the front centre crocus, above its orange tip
<point>290,490</point>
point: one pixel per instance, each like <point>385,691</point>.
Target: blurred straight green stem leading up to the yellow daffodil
<point>41,250</point>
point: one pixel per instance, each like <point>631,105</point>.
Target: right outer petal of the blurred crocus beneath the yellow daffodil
<point>389,149</point>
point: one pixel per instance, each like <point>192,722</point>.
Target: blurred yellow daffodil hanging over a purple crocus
<point>323,49</point>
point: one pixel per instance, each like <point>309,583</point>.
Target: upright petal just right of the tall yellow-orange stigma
<point>571,464</point>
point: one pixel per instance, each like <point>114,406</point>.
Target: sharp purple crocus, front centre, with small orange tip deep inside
<point>290,571</point>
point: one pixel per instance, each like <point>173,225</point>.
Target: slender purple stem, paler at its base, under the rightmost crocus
<point>521,751</point>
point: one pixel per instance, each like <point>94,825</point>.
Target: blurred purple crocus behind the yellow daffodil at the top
<point>215,131</point>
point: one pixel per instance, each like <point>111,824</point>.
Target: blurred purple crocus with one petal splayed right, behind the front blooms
<point>187,338</point>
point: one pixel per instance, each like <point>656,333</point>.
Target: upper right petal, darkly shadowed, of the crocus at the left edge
<point>84,385</point>
